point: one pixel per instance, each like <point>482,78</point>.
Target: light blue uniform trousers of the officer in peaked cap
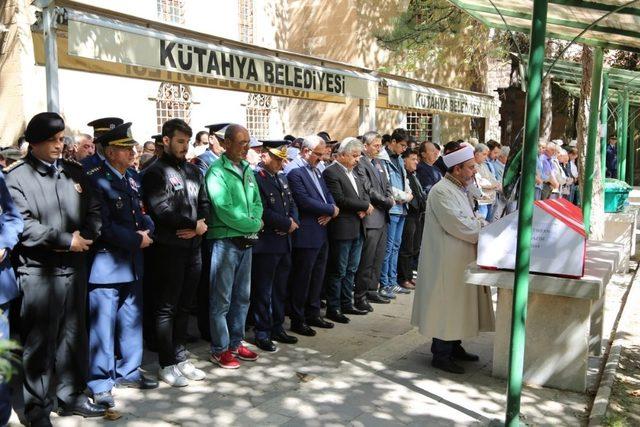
<point>115,313</point>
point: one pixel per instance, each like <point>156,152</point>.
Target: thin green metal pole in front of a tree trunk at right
<point>596,80</point>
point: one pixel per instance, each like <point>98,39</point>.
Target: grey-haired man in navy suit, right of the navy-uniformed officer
<point>316,208</point>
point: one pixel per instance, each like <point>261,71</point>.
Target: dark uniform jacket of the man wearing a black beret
<point>53,204</point>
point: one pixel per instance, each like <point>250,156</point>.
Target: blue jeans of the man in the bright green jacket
<point>230,288</point>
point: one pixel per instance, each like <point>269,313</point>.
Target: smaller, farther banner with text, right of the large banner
<point>438,100</point>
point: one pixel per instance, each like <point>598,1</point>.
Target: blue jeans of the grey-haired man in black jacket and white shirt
<point>345,257</point>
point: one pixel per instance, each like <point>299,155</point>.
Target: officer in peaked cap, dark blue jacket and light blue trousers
<point>115,288</point>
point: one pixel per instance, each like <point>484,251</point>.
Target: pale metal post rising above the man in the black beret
<point>51,56</point>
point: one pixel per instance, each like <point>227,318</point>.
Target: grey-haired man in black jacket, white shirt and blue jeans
<point>346,230</point>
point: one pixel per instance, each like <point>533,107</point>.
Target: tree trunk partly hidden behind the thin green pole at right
<point>582,128</point>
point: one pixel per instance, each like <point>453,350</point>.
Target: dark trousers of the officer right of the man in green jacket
<point>269,276</point>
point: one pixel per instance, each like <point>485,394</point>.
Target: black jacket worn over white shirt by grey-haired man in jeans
<point>347,225</point>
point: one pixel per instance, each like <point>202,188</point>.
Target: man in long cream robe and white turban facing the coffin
<point>444,308</point>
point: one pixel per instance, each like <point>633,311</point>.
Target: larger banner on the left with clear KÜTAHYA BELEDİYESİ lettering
<point>201,59</point>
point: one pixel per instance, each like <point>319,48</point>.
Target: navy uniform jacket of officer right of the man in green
<point>278,209</point>
